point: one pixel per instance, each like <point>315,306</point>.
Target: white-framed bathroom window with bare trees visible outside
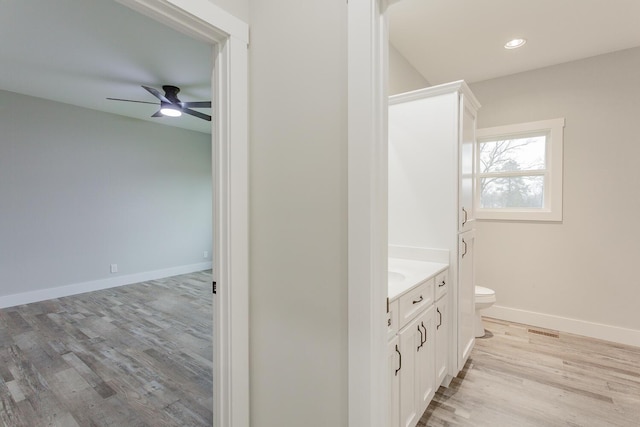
<point>519,171</point>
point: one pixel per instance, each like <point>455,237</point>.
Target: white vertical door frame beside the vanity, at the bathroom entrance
<point>367,218</point>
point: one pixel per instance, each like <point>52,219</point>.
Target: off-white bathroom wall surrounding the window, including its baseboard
<point>583,268</point>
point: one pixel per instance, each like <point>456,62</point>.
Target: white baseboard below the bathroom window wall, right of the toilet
<point>564,324</point>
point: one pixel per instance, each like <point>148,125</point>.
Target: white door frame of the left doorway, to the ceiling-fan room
<point>229,36</point>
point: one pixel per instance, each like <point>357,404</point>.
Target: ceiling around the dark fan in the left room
<point>82,51</point>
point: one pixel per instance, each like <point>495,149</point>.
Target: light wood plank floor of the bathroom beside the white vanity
<point>520,376</point>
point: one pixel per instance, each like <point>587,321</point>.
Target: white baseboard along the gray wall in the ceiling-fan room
<point>96,285</point>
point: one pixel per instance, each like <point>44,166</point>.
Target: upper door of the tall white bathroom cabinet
<point>467,146</point>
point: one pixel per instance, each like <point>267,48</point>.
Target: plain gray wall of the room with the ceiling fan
<point>80,189</point>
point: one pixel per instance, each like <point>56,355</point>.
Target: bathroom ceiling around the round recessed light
<point>448,40</point>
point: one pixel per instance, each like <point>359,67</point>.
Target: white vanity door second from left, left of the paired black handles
<point>411,338</point>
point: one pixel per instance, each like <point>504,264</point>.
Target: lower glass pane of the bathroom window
<point>512,192</point>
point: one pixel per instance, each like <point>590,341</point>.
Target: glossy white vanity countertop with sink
<point>405,274</point>
